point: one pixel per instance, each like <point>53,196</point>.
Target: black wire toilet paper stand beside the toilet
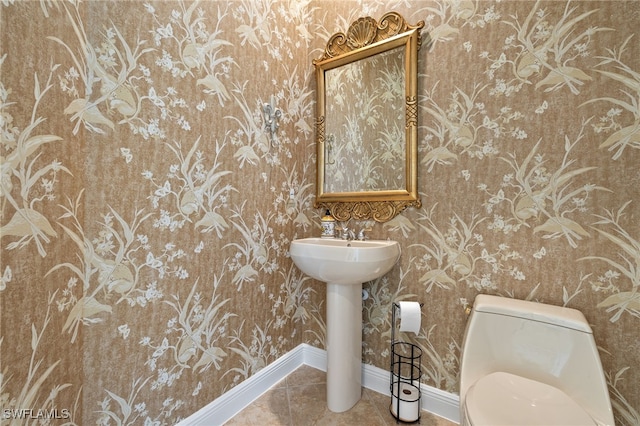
<point>405,371</point>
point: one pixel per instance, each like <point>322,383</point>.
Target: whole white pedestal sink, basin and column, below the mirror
<point>344,266</point>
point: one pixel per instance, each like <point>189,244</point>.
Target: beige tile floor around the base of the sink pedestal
<point>300,400</point>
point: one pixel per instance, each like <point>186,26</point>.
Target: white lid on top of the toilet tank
<point>550,314</point>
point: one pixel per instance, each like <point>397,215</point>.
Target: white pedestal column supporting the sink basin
<point>344,346</point>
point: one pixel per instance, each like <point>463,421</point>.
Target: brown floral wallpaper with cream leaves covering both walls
<point>146,214</point>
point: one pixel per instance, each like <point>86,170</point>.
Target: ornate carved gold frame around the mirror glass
<point>366,38</point>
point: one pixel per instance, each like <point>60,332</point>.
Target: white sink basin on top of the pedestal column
<point>344,262</point>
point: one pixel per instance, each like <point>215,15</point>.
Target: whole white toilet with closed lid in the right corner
<point>526,363</point>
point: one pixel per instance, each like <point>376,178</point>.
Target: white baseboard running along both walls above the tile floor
<point>222,409</point>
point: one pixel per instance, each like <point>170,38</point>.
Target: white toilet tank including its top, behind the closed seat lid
<point>549,344</point>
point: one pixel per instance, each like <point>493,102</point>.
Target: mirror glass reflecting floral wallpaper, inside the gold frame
<point>365,146</point>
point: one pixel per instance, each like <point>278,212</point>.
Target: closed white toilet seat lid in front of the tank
<point>506,399</point>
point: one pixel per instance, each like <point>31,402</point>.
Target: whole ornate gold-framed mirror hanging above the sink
<point>367,120</point>
